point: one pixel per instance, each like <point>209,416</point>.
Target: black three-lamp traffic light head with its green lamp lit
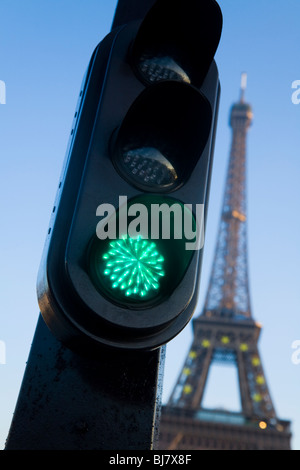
<point>122,258</point>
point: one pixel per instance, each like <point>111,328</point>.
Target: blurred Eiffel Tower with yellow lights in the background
<point>226,332</point>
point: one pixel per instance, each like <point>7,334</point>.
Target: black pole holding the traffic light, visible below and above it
<point>70,402</point>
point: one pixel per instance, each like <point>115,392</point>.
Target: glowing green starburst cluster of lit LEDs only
<point>134,266</point>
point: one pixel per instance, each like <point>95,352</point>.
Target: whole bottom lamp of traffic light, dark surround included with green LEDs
<point>140,270</point>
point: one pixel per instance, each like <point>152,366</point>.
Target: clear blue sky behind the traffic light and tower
<point>45,47</point>
